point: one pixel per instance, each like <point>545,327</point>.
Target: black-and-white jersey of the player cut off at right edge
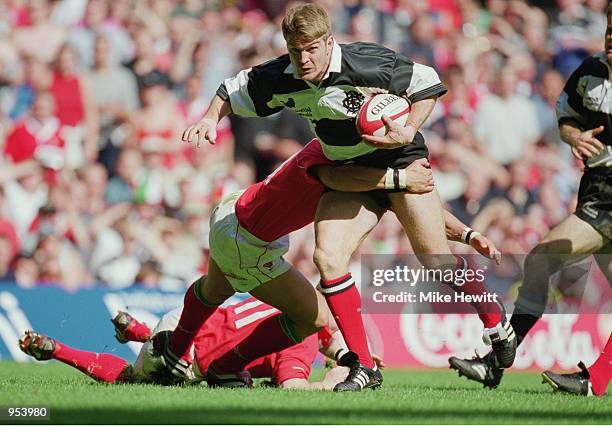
<point>587,99</point>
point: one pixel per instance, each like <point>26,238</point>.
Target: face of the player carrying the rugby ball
<point>311,59</point>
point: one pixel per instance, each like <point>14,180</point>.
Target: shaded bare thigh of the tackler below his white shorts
<point>294,295</point>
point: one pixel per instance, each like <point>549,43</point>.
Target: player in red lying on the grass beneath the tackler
<point>289,368</point>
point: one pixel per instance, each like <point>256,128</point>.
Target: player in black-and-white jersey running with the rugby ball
<point>327,83</point>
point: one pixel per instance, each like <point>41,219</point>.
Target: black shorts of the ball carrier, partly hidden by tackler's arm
<point>399,158</point>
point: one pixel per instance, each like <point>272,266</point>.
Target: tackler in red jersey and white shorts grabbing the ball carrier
<point>248,237</point>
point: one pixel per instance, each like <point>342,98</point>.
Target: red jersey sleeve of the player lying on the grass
<point>296,362</point>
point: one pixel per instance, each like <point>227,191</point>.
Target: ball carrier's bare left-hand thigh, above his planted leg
<point>343,220</point>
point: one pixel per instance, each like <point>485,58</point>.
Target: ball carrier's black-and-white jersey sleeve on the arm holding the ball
<point>415,81</point>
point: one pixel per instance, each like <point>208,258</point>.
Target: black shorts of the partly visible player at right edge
<point>595,200</point>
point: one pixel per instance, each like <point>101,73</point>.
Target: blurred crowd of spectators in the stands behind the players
<point>96,187</point>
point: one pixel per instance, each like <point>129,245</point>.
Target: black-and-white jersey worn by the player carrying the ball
<point>356,71</point>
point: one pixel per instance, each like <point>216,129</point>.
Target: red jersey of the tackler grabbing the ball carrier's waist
<point>287,199</point>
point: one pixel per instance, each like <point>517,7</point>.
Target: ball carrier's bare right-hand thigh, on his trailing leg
<point>422,218</point>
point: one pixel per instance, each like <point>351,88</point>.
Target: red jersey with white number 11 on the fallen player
<point>227,327</point>
